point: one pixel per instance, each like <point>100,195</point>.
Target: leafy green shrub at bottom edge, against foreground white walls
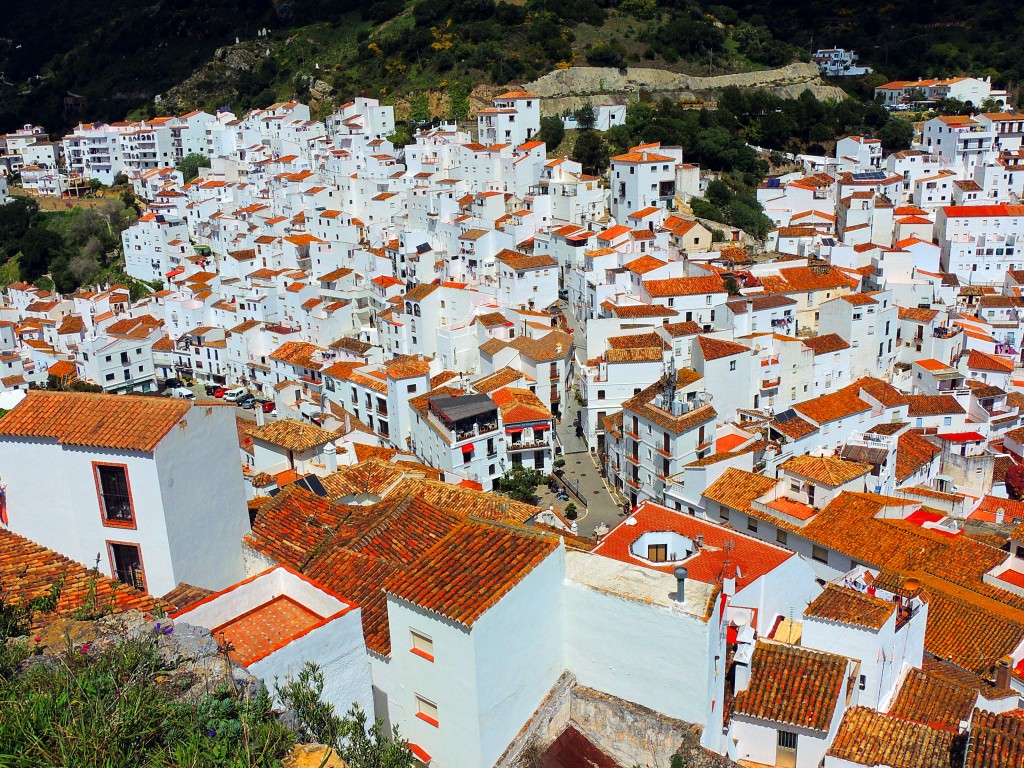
<point>359,746</point>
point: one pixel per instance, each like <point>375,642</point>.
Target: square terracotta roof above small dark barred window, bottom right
<point>793,687</point>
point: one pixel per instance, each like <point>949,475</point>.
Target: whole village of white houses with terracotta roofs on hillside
<point>787,478</point>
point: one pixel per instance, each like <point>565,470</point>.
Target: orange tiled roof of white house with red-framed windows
<point>97,420</point>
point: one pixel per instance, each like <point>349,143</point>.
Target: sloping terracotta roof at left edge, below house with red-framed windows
<point>29,571</point>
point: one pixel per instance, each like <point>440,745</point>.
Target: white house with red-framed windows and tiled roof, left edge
<point>152,488</point>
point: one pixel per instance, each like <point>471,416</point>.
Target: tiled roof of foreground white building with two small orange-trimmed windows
<point>470,571</point>
